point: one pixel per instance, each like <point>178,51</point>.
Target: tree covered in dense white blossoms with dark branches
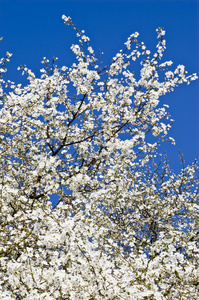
<point>125,226</point>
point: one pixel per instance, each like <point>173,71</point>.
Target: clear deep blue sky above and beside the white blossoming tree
<point>34,29</point>
